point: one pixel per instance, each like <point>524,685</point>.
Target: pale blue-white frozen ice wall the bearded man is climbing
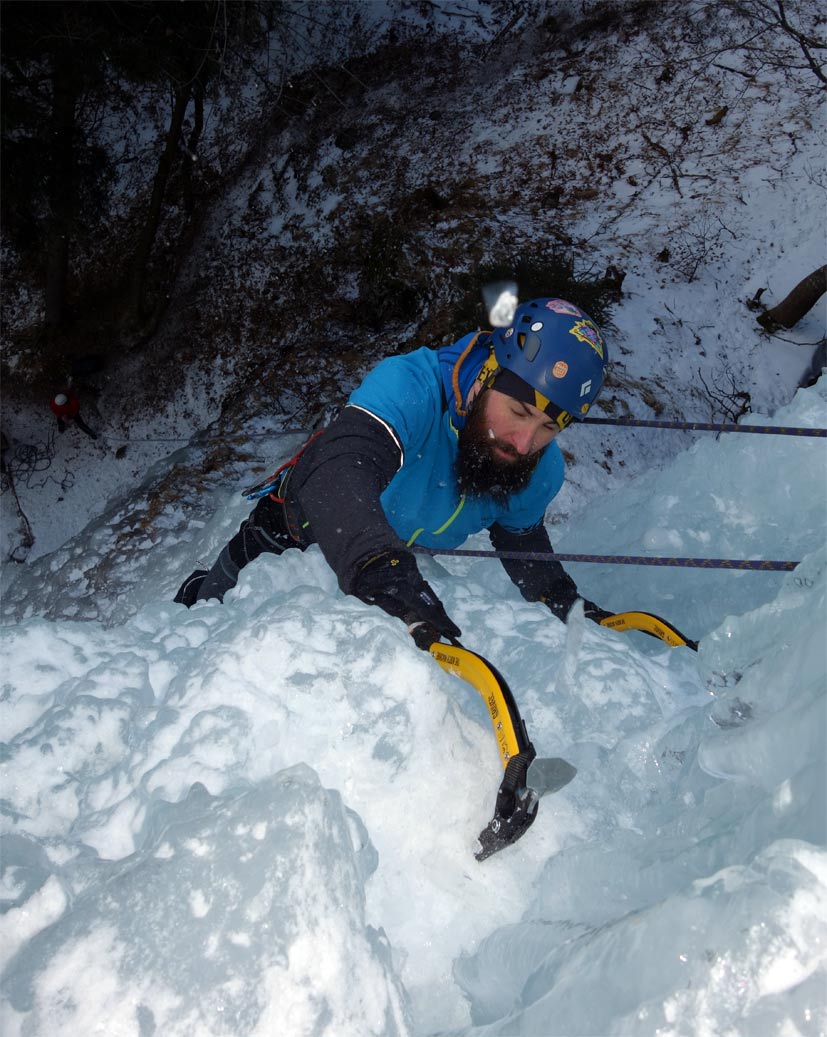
<point>261,817</point>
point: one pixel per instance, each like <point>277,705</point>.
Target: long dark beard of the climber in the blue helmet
<point>480,472</point>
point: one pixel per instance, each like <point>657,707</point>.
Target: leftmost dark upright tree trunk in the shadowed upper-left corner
<point>60,184</point>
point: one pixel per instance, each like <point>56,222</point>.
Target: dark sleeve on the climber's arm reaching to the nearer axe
<point>335,491</point>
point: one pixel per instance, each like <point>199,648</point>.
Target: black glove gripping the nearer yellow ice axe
<point>393,581</point>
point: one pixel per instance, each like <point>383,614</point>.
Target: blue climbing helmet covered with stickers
<point>553,356</point>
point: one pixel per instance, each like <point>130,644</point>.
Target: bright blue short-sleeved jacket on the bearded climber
<point>415,395</point>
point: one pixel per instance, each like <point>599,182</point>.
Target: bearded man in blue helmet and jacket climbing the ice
<point>434,446</point>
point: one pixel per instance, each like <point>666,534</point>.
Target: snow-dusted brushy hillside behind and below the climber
<point>660,148</point>
